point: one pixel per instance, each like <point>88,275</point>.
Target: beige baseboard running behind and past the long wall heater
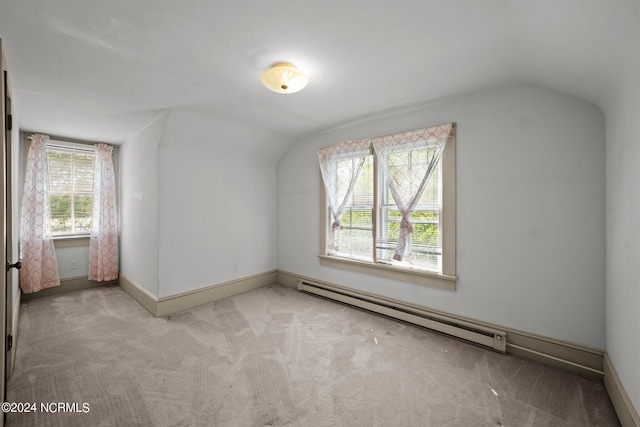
<point>574,358</point>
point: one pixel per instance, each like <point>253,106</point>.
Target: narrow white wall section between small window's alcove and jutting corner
<point>139,206</point>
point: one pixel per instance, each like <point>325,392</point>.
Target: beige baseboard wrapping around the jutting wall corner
<point>167,306</point>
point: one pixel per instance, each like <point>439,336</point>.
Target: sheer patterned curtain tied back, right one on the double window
<point>408,160</point>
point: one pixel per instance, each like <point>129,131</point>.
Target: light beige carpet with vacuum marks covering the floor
<point>275,357</point>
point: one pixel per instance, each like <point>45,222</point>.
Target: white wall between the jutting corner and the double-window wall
<point>217,209</point>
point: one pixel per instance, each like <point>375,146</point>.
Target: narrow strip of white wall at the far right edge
<point>623,239</point>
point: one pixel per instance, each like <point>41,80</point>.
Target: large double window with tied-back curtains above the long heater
<point>389,204</point>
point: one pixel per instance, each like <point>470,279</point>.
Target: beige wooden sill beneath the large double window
<point>419,277</point>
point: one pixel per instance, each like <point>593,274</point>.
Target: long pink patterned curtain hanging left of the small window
<point>37,252</point>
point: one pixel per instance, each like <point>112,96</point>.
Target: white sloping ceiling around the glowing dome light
<point>102,70</point>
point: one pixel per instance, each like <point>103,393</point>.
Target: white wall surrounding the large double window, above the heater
<point>530,212</point>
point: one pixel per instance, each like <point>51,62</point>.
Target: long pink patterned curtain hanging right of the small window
<point>103,245</point>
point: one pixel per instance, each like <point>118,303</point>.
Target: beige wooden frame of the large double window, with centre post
<point>445,280</point>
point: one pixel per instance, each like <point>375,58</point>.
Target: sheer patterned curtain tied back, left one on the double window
<point>340,166</point>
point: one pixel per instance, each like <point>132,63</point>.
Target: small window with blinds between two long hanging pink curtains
<point>70,189</point>
